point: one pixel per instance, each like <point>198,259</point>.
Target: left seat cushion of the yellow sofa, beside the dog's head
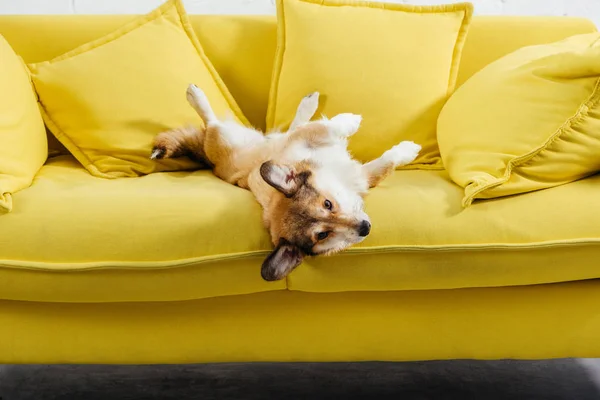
<point>164,236</point>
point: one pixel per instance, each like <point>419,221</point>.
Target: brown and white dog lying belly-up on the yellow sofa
<point>310,188</point>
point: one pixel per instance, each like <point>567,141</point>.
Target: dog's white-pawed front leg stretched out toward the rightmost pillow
<point>380,168</point>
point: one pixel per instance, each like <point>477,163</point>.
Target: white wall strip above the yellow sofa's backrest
<point>582,8</point>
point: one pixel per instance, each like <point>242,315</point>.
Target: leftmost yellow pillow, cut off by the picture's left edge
<point>23,143</point>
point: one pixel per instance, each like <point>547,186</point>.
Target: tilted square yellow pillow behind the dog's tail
<point>106,100</point>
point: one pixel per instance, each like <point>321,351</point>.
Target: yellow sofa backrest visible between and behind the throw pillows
<point>242,48</point>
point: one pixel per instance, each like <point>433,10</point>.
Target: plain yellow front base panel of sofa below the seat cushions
<point>534,322</point>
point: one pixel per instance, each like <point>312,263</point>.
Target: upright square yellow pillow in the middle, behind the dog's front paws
<point>393,63</point>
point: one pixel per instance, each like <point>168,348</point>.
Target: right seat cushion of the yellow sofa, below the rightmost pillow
<point>422,238</point>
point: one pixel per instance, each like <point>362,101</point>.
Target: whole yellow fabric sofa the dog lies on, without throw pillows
<point>114,271</point>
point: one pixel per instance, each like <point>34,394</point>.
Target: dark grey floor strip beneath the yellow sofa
<point>515,380</point>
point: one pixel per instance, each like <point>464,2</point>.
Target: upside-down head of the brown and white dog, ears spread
<point>317,212</point>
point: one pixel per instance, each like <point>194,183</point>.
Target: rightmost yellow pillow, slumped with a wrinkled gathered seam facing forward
<point>528,121</point>
